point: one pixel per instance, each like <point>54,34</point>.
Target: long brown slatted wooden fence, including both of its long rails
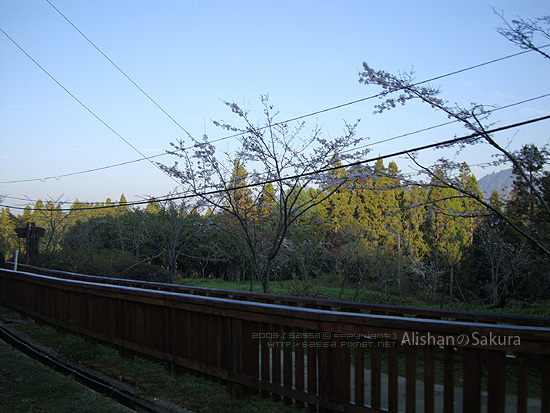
<point>321,354</point>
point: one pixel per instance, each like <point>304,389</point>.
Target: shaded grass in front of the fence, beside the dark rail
<point>37,388</point>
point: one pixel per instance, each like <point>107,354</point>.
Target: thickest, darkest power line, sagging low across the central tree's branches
<point>305,174</point>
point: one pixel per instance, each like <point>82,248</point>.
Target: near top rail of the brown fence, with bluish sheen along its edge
<point>409,331</point>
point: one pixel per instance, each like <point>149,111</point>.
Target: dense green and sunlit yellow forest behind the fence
<point>376,232</point>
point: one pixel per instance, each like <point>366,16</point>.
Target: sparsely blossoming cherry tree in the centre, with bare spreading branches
<point>282,154</point>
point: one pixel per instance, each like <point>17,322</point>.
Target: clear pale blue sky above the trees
<point>189,56</point>
